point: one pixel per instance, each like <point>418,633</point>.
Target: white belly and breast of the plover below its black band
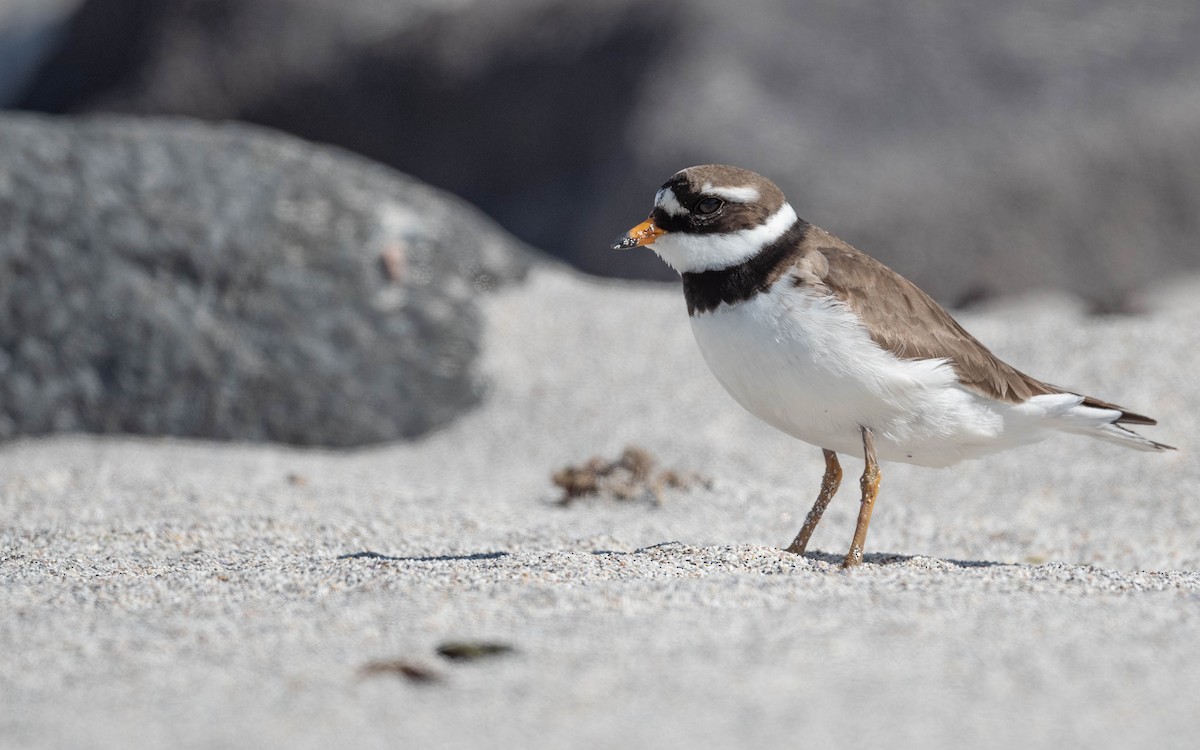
<point>807,367</point>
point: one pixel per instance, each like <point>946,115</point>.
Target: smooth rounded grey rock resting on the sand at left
<point>169,278</point>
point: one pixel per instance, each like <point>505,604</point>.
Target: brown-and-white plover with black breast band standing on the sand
<point>832,347</point>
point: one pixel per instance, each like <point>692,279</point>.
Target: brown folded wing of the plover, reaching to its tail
<point>909,323</point>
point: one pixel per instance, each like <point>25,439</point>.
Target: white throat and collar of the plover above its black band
<point>691,254</point>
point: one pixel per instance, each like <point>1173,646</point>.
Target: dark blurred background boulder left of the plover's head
<point>519,107</point>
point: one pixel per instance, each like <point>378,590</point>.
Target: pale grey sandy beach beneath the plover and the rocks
<point>172,593</point>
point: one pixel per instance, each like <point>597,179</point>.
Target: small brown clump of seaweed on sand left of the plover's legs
<point>629,478</point>
